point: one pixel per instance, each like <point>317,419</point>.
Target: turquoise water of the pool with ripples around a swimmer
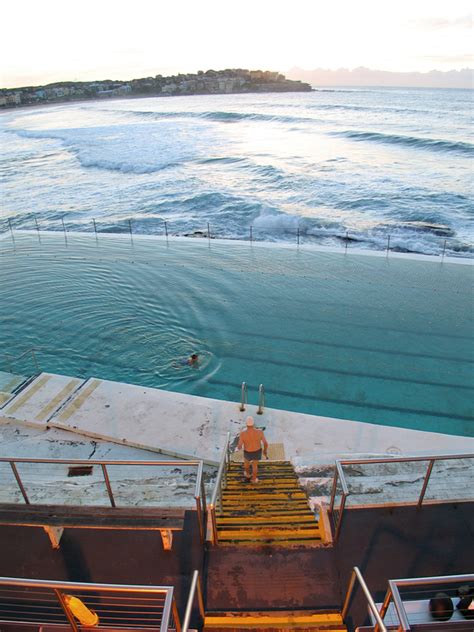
<point>378,339</point>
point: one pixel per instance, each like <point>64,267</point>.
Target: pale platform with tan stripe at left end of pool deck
<point>40,399</point>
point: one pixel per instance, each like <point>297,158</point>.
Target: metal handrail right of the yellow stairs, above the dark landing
<point>339,476</point>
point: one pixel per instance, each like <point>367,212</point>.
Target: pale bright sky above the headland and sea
<point>43,41</point>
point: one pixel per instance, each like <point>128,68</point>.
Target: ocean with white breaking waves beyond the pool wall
<point>332,167</point>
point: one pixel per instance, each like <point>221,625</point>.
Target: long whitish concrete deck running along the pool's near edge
<point>187,426</point>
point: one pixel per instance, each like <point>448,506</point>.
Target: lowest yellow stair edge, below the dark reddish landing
<point>276,620</point>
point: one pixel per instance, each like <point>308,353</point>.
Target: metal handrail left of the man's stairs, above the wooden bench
<point>199,491</point>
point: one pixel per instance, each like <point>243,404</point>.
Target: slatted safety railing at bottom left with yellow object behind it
<point>81,605</point>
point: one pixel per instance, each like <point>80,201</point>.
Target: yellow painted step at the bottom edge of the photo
<point>274,620</point>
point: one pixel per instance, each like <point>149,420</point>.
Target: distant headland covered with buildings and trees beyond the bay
<point>232,81</point>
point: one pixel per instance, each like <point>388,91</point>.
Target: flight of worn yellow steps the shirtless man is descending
<point>274,511</point>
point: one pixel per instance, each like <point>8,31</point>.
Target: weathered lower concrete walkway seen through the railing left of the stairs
<point>133,485</point>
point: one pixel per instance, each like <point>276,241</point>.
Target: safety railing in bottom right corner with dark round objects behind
<point>412,607</point>
